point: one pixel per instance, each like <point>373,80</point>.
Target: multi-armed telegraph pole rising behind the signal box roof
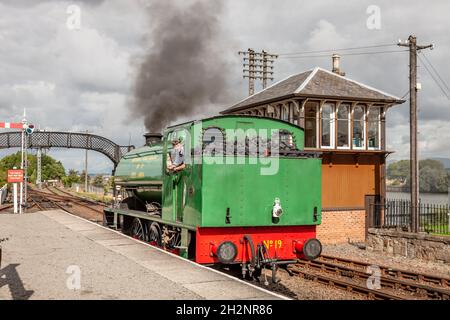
<point>258,65</point>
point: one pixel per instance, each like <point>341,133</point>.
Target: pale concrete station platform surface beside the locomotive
<point>54,255</point>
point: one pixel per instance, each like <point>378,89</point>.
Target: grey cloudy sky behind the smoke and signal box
<point>81,77</point>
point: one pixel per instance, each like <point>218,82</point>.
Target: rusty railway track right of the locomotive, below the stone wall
<point>354,276</point>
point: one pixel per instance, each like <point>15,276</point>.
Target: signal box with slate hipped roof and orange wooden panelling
<point>345,121</point>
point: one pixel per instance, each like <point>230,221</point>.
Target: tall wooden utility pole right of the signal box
<point>411,43</point>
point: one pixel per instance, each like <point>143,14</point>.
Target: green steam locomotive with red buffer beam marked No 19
<point>246,194</point>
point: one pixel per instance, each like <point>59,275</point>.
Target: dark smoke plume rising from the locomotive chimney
<point>183,72</point>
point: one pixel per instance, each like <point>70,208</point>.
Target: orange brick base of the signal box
<point>341,227</point>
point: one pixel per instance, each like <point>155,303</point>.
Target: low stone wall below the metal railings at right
<point>416,246</point>
